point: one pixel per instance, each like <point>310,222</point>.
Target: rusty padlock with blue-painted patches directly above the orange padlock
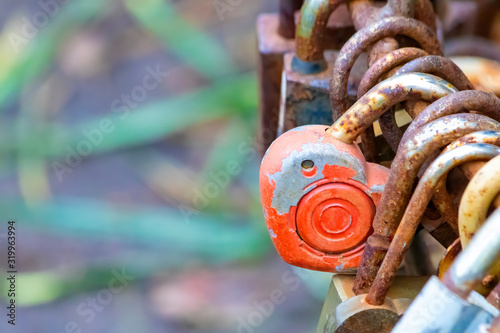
<point>306,73</point>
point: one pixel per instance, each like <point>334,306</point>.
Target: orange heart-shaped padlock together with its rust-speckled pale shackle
<point>301,157</point>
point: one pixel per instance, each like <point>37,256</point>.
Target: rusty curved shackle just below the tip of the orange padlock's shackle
<point>462,101</point>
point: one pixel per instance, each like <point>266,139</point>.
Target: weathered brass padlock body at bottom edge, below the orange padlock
<point>402,291</point>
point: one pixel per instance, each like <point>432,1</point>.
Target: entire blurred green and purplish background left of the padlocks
<point>128,161</point>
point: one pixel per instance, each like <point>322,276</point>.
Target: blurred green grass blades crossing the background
<point>220,233</point>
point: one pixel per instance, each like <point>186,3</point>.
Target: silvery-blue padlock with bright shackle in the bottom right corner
<point>451,305</point>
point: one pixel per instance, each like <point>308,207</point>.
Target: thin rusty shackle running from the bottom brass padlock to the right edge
<point>427,186</point>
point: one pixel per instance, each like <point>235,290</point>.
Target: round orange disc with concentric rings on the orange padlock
<point>335,217</point>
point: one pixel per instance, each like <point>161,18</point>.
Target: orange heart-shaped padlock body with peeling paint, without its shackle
<point>319,197</point>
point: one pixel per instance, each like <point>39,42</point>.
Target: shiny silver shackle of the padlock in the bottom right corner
<point>478,259</point>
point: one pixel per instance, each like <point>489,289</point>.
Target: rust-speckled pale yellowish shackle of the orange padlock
<point>382,97</point>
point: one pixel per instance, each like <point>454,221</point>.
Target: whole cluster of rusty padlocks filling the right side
<point>333,206</point>
